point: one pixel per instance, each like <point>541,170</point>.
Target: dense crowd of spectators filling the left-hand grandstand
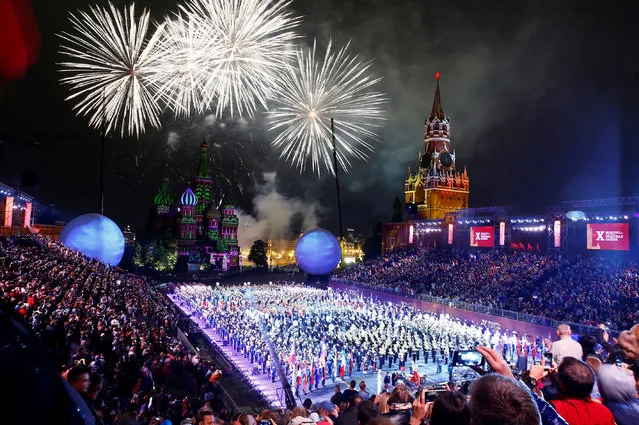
<point>106,332</point>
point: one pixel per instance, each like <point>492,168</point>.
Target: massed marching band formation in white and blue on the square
<point>325,334</point>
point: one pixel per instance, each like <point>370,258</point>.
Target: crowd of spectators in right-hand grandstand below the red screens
<point>587,290</point>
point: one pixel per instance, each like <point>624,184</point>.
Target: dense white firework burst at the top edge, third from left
<point>253,41</point>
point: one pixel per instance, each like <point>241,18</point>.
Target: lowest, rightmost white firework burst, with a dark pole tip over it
<point>313,92</point>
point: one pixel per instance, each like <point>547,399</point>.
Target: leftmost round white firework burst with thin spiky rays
<point>110,68</point>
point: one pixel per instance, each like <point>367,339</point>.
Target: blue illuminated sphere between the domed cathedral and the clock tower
<point>318,252</point>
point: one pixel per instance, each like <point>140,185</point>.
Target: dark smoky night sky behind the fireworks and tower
<point>542,97</point>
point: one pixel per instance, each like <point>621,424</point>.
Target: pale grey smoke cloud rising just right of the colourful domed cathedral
<point>275,216</point>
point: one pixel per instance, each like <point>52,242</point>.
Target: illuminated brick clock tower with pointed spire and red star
<point>437,187</point>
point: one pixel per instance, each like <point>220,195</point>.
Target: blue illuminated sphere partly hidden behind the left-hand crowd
<point>95,236</point>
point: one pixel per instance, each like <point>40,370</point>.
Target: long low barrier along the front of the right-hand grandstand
<point>578,328</point>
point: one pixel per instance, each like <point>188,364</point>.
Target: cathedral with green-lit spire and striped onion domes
<point>206,231</point>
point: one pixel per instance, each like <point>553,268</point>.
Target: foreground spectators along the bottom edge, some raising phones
<point>573,392</point>
